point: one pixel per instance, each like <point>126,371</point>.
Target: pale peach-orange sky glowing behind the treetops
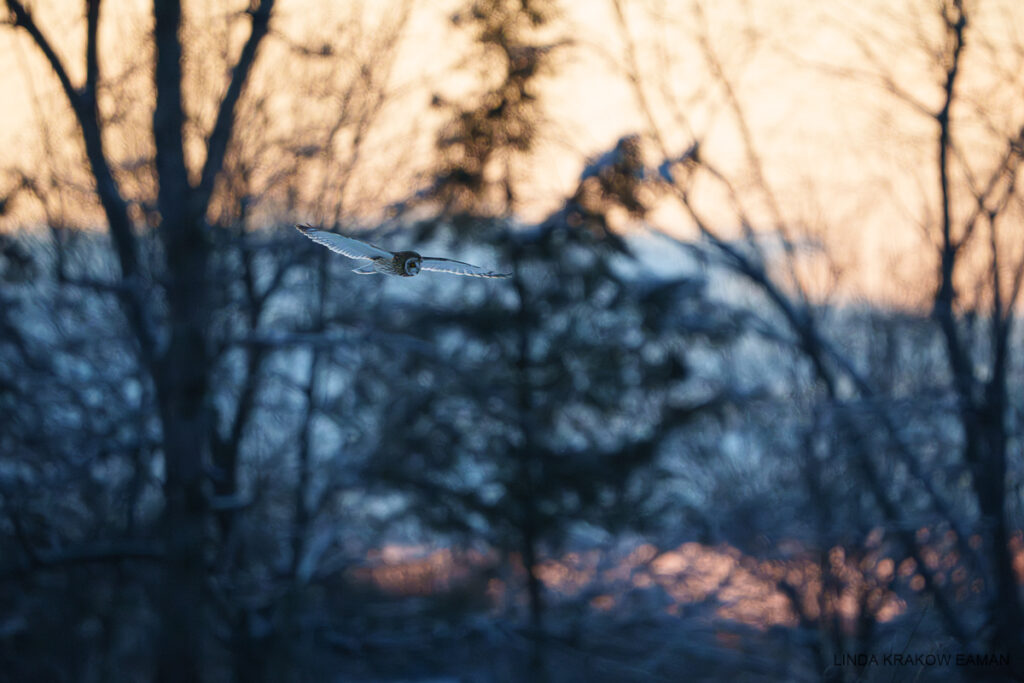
<point>848,163</point>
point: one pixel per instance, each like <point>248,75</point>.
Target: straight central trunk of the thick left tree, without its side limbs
<point>182,376</point>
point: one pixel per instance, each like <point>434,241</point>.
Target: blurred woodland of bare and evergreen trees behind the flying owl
<point>209,424</point>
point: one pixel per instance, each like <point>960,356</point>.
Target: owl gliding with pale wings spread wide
<point>405,264</point>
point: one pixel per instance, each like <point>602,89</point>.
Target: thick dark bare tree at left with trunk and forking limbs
<point>177,353</point>
